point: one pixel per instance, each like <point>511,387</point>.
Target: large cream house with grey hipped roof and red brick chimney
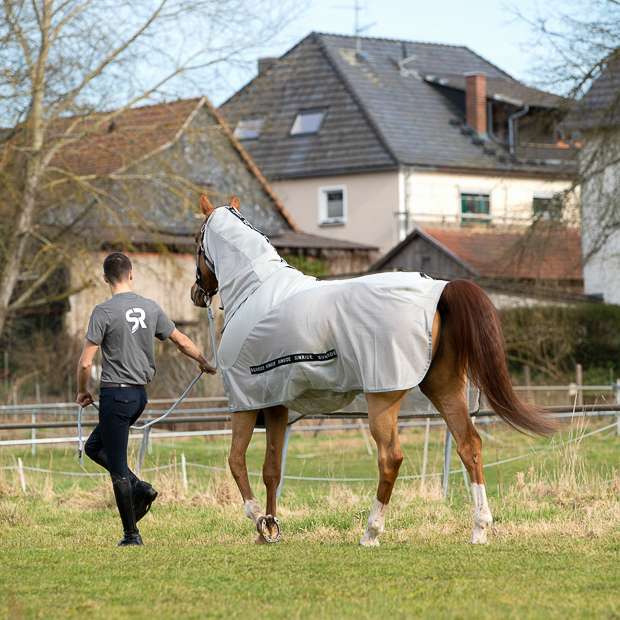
<point>370,144</point>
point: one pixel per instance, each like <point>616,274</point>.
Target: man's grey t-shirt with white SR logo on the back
<point>125,326</point>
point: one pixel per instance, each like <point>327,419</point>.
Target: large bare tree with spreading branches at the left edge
<point>69,70</point>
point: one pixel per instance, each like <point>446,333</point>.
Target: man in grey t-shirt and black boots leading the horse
<point>124,327</point>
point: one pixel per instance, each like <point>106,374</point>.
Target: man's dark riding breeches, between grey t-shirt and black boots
<point>119,408</point>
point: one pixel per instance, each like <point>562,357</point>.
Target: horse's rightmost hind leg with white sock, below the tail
<point>446,390</point>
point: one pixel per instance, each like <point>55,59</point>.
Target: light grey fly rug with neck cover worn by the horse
<point>312,345</point>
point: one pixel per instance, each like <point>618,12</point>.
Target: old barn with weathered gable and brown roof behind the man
<point>158,160</point>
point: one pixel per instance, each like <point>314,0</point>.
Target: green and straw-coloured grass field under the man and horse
<point>554,547</point>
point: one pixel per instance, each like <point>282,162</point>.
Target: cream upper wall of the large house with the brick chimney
<point>433,199</point>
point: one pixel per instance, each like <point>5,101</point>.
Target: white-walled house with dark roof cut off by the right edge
<point>596,117</point>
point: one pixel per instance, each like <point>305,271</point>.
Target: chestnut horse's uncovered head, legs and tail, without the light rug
<point>467,341</point>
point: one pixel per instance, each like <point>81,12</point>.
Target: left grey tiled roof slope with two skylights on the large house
<point>304,79</point>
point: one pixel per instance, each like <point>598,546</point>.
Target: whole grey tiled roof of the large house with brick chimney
<point>378,117</point>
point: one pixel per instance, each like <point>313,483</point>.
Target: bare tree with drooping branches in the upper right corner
<point>578,54</point>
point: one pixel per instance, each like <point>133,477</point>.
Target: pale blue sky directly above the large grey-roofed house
<point>488,27</point>
